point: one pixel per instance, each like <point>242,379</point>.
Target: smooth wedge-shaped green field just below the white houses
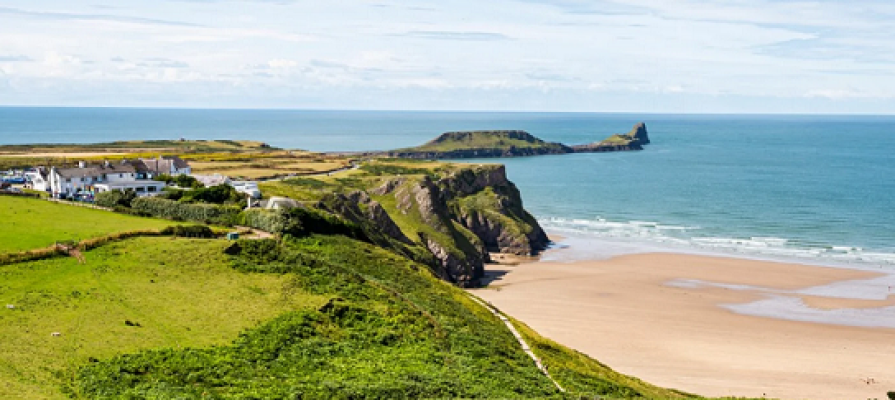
<point>27,224</point>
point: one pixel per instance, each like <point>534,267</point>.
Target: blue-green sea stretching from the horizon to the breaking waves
<point>800,188</point>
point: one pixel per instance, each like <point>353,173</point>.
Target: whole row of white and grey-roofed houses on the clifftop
<point>137,175</point>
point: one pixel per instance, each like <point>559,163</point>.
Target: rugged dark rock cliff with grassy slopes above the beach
<point>450,223</point>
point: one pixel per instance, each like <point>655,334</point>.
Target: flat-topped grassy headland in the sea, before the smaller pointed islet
<point>471,140</point>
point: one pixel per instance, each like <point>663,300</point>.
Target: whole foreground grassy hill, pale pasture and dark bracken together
<point>354,321</point>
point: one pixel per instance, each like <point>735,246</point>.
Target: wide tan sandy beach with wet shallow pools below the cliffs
<point>715,326</point>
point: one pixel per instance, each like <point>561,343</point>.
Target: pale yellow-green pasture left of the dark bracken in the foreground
<point>182,293</point>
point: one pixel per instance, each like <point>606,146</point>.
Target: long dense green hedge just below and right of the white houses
<point>204,213</point>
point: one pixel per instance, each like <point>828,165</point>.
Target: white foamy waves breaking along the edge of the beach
<point>694,237</point>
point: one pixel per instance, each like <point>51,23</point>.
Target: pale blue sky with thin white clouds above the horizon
<point>656,56</point>
